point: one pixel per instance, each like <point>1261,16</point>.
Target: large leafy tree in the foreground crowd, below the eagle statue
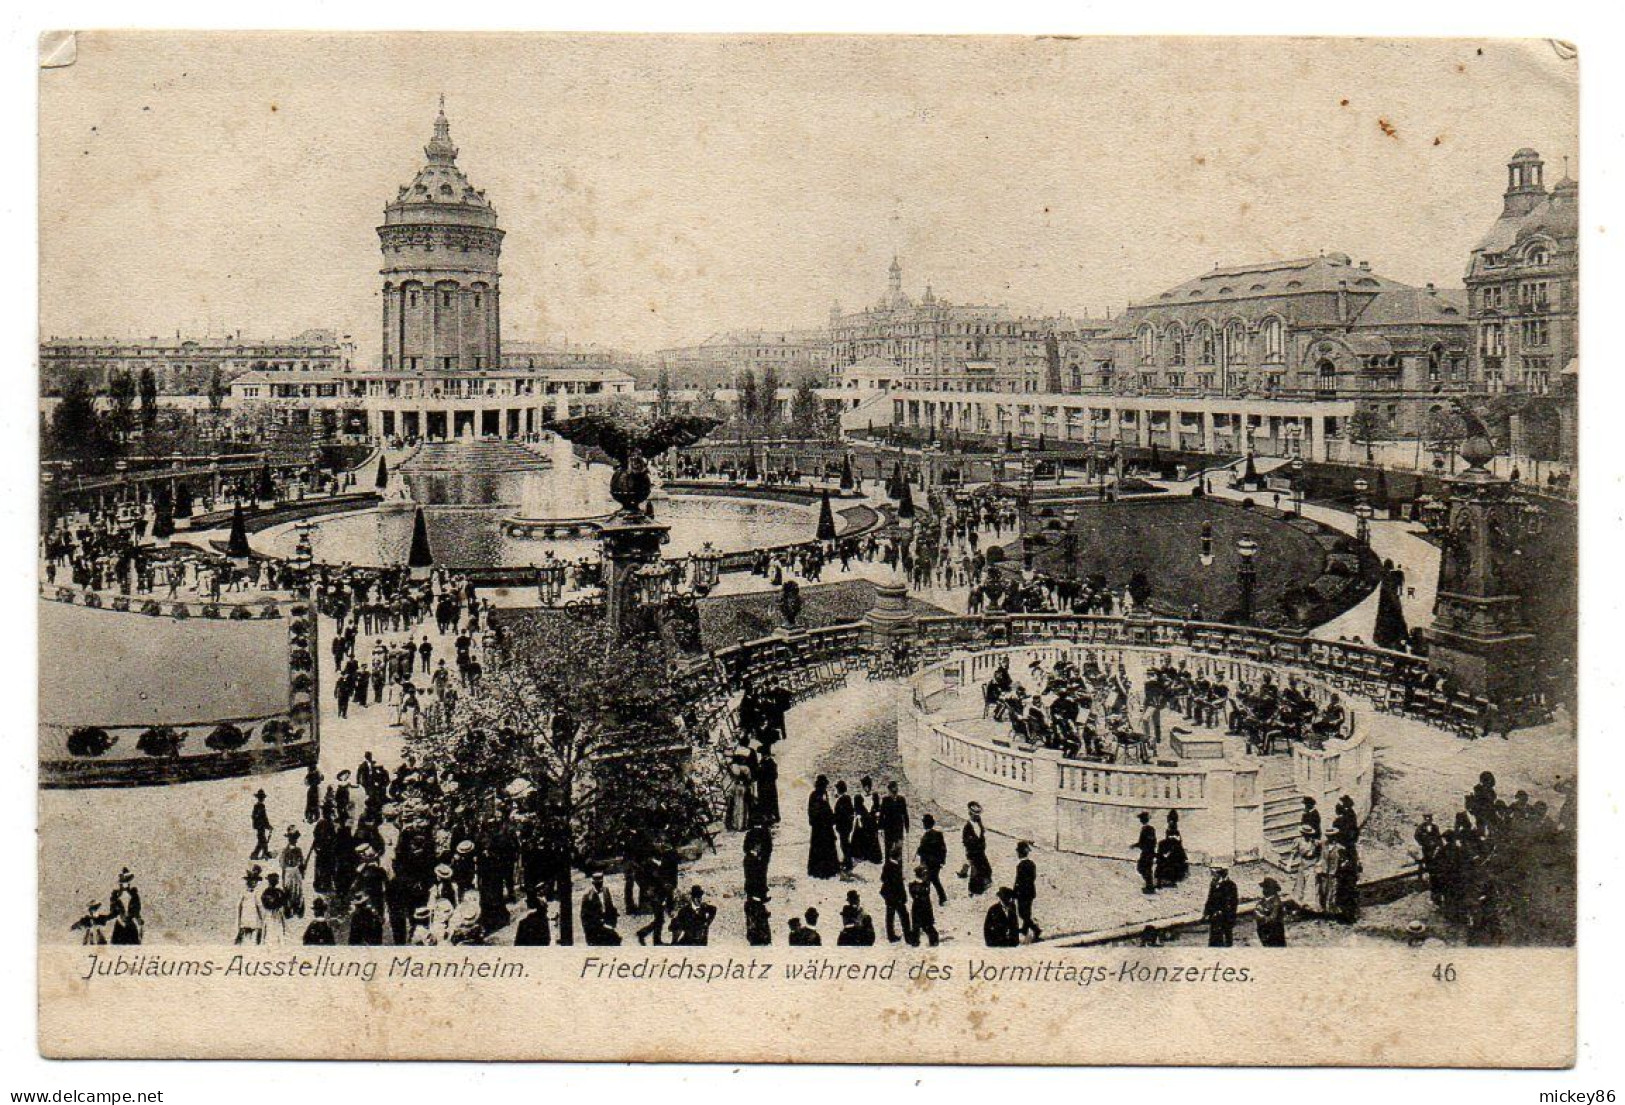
<point>583,737</point>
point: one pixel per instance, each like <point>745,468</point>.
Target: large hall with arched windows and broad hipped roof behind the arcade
<point>1317,327</point>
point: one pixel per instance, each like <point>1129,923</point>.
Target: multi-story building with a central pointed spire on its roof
<point>938,345</point>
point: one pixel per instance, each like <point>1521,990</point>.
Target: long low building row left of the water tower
<point>186,366</point>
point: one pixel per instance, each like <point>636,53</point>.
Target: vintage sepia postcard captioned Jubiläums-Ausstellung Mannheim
<point>888,550</point>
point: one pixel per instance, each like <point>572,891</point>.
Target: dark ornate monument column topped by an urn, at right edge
<point>1480,636</point>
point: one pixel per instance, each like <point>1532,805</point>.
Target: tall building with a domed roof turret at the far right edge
<point>1523,285</point>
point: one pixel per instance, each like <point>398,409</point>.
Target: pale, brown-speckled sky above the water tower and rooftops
<point>657,191</point>
